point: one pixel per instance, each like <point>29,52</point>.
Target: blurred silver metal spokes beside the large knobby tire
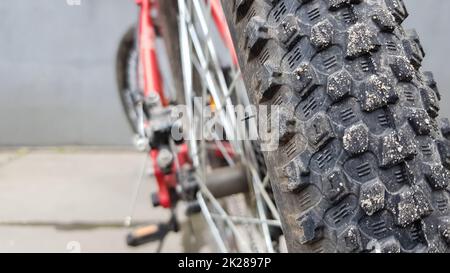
<point>199,55</point>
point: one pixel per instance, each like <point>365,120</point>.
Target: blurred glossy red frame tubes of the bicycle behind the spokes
<point>152,81</point>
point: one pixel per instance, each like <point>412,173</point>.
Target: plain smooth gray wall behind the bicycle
<point>57,83</point>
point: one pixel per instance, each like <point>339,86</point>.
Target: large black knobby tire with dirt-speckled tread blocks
<point>366,167</point>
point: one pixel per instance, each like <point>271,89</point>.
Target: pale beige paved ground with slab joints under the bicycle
<point>62,200</point>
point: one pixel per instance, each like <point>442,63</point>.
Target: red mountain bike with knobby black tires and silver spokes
<point>322,130</point>
